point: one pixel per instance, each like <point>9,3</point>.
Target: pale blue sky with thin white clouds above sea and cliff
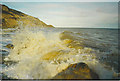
<point>94,14</point>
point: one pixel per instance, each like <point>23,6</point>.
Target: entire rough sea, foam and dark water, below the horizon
<point>41,53</point>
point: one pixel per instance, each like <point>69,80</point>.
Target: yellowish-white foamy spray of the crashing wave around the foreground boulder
<point>42,54</point>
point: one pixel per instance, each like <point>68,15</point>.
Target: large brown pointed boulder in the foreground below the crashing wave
<point>77,71</point>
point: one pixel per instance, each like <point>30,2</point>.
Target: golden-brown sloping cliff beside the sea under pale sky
<point>12,18</point>
